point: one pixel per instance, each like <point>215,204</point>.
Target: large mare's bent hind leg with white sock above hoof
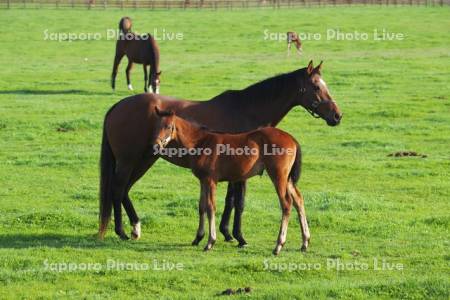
<point>140,169</point>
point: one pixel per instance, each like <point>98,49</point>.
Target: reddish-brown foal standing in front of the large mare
<point>269,149</point>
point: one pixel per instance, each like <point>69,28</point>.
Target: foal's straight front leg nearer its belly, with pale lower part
<point>209,200</point>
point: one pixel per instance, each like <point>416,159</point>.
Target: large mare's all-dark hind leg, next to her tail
<point>120,182</point>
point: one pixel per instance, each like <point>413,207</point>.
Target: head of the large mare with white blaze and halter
<point>315,97</point>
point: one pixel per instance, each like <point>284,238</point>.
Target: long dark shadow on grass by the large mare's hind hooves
<point>54,240</point>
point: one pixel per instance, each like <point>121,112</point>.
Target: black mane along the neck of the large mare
<point>265,90</point>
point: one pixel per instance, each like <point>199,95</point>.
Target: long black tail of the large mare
<point>107,166</point>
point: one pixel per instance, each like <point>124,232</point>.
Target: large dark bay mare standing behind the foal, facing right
<point>129,133</point>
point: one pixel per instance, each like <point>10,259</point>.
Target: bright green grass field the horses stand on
<point>361,204</point>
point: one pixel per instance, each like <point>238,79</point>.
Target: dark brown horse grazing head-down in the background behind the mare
<point>140,49</point>
